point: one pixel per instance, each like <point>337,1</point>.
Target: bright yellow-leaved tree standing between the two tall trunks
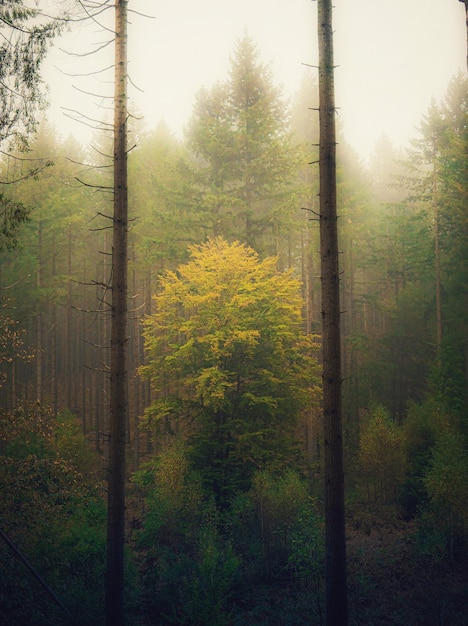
<point>229,363</point>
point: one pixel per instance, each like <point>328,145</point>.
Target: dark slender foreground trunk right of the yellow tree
<point>335,546</point>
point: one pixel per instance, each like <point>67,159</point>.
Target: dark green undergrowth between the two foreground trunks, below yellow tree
<point>200,565</point>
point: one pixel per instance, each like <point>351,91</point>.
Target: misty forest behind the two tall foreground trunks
<point>224,516</point>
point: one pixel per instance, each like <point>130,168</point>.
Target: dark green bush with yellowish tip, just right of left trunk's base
<point>188,566</point>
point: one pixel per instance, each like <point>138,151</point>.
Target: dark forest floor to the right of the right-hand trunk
<point>393,580</point>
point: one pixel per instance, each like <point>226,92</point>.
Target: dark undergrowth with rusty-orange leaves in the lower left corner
<point>52,512</point>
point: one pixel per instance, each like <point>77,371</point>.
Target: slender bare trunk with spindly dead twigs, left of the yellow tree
<point>118,375</point>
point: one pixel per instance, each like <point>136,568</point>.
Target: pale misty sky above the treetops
<point>393,57</point>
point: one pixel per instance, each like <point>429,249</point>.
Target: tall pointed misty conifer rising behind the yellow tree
<point>245,156</point>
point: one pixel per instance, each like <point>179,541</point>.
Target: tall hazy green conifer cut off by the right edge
<point>436,204</point>
